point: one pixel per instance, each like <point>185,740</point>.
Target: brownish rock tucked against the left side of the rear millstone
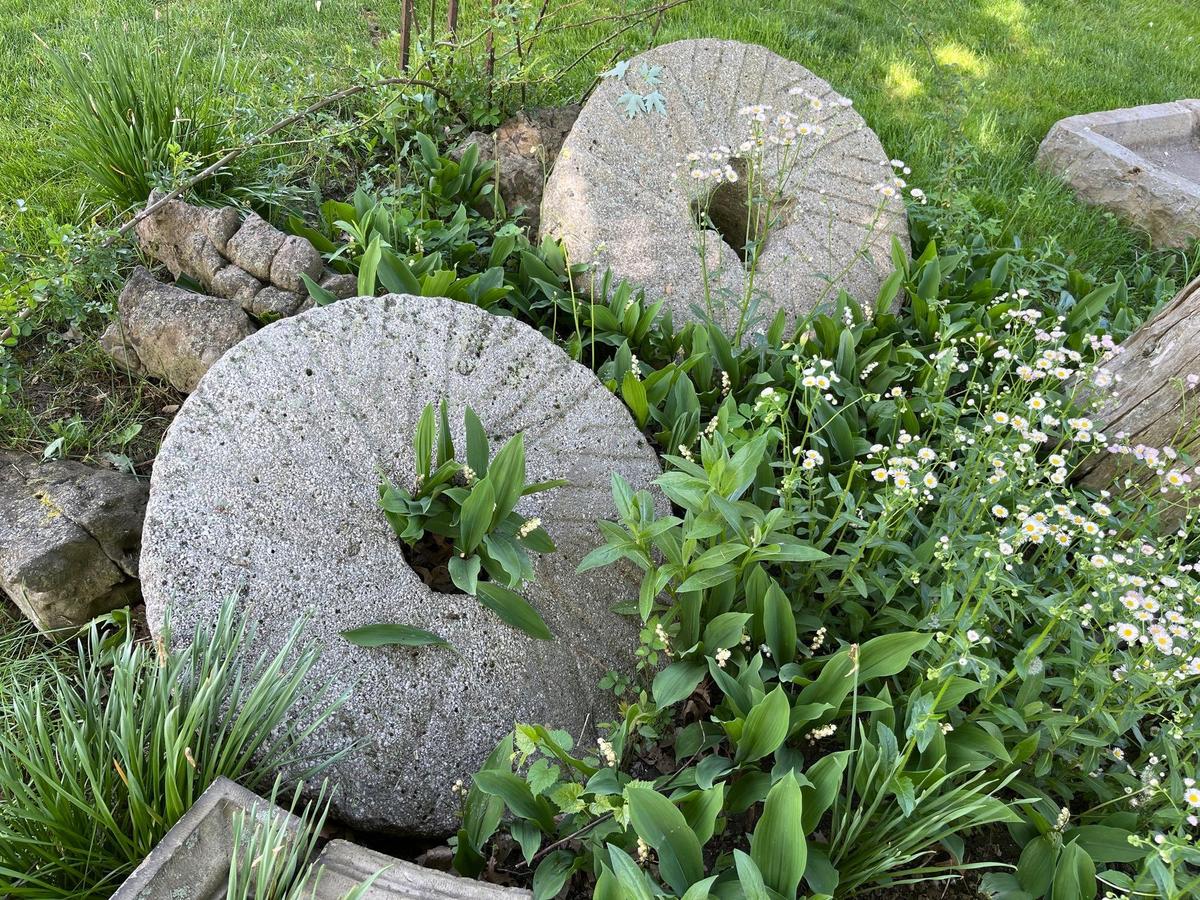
<point>524,149</point>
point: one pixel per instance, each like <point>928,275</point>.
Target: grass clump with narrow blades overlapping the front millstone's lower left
<point>101,761</point>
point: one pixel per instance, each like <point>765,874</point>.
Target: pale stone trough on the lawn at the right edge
<point>1142,164</point>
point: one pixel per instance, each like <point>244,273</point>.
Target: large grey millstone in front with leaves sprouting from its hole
<point>267,488</point>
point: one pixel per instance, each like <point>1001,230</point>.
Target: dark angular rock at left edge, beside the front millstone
<point>69,539</point>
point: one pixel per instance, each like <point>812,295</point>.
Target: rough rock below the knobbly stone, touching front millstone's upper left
<point>171,333</point>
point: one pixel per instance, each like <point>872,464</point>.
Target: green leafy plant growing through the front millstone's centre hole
<point>464,515</point>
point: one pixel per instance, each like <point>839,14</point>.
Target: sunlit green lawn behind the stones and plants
<point>963,91</point>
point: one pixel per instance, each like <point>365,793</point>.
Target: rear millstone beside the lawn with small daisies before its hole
<point>620,199</point>
